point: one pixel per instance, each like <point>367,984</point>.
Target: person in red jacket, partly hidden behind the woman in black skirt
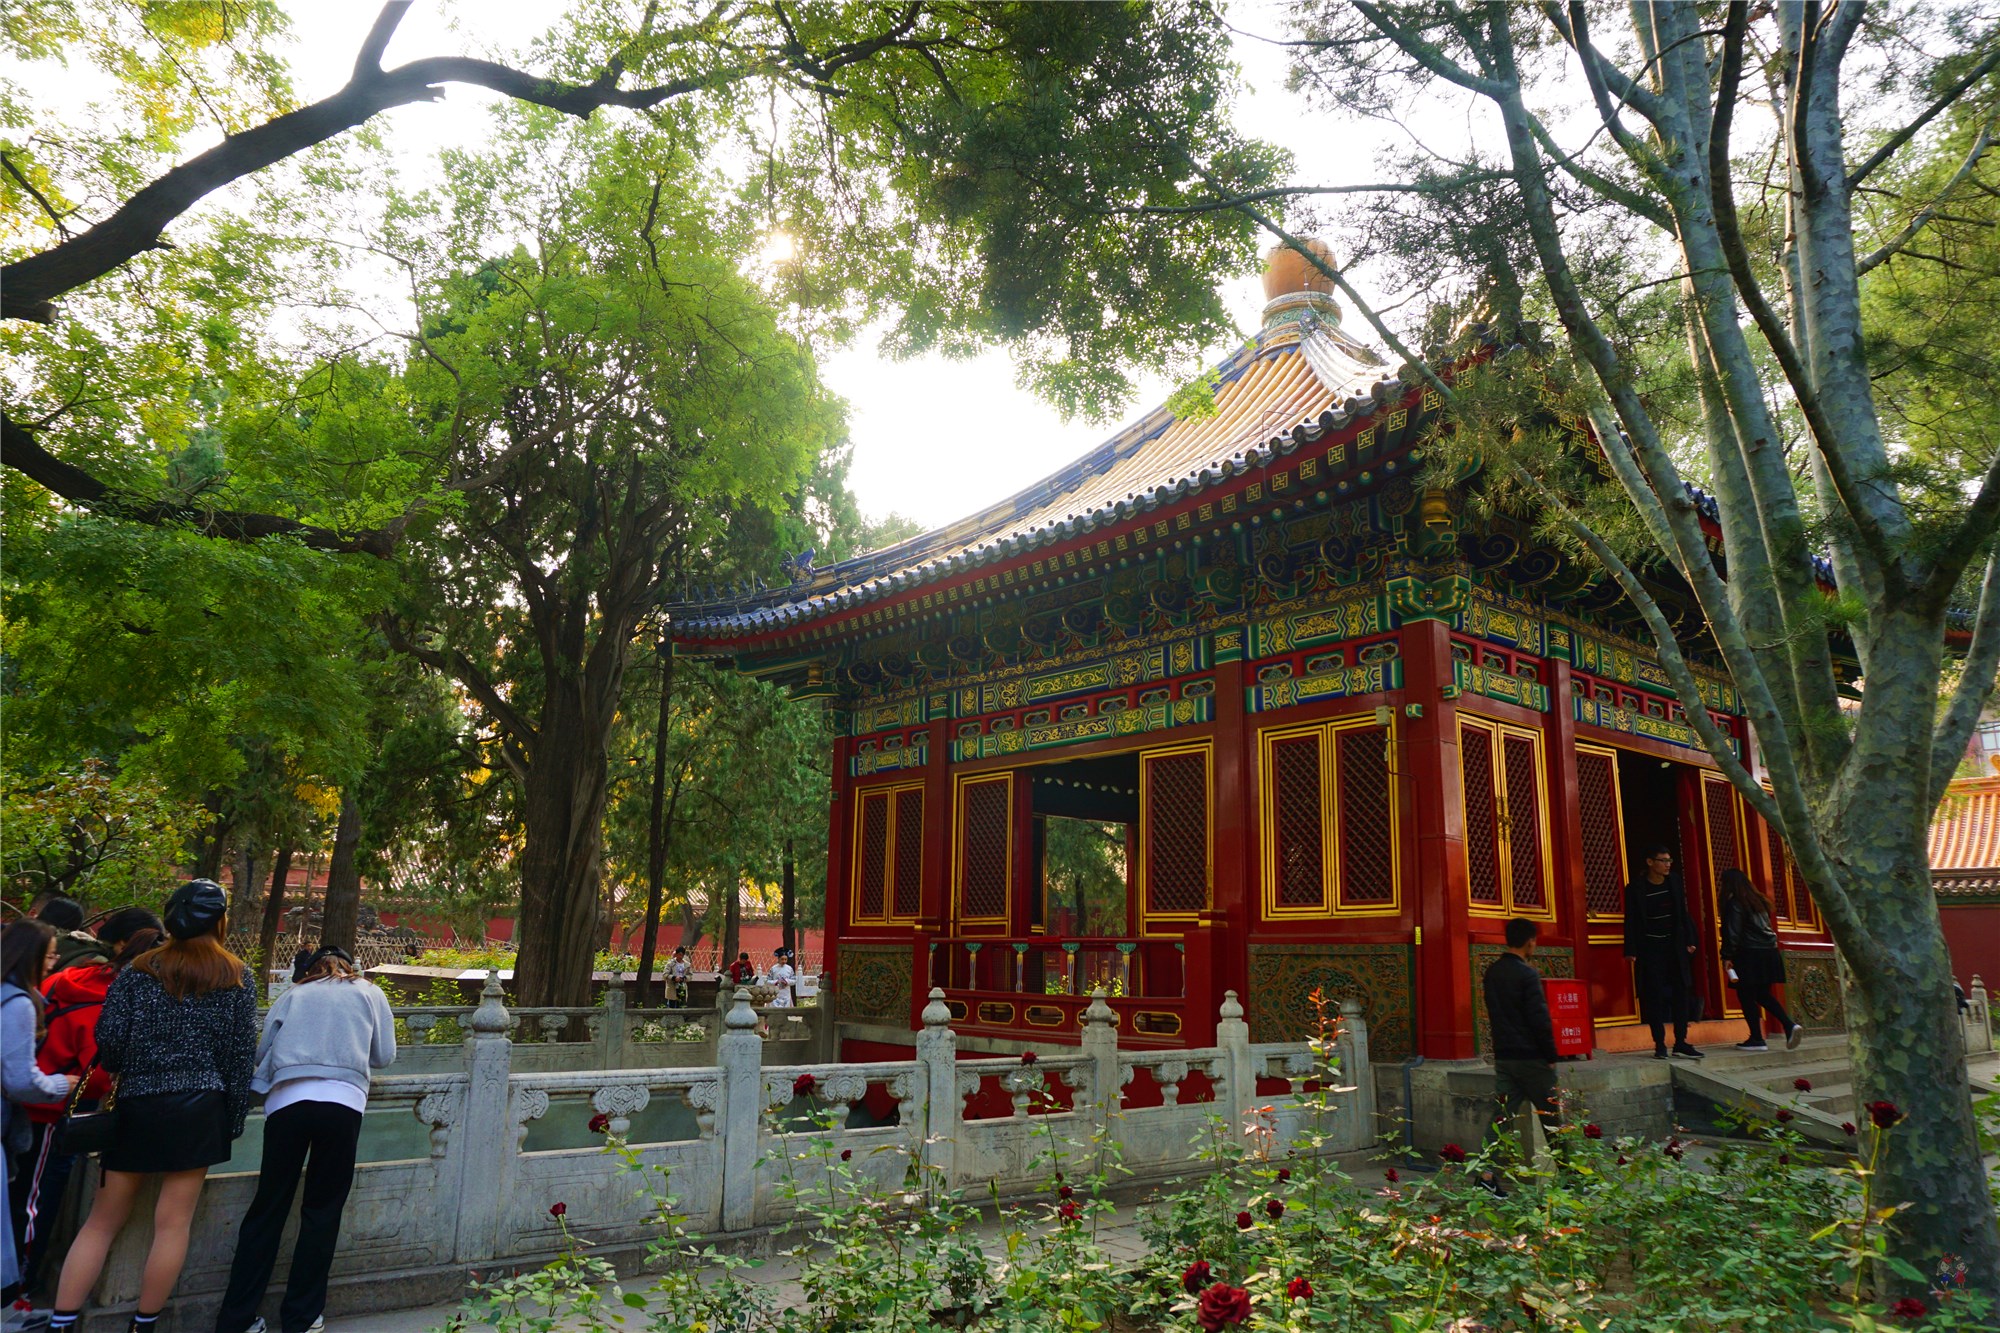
<point>71,1004</point>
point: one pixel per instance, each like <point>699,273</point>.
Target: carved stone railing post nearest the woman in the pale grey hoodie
<point>483,1146</point>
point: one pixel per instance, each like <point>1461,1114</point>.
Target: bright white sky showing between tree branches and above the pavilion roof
<point>933,439</point>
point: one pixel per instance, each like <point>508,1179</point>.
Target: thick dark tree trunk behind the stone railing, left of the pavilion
<point>561,860</point>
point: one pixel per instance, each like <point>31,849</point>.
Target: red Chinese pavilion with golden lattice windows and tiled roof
<point>1341,730</point>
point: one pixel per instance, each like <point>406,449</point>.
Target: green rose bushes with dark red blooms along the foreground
<point>1613,1234</point>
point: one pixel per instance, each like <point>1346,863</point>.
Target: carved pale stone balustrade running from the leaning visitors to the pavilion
<point>463,1164</point>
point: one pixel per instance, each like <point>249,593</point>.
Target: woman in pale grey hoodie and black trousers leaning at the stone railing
<point>321,1040</point>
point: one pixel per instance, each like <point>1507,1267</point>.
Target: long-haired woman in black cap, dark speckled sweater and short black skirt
<point>179,1030</point>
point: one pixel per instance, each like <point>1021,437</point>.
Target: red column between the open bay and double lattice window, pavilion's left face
<point>1235,806</point>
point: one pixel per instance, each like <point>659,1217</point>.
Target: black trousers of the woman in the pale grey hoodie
<point>315,1138</point>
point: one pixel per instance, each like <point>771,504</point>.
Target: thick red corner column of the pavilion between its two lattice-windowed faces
<point>1437,810</point>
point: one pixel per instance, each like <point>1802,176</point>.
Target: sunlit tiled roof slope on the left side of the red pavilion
<point>1293,383</point>
